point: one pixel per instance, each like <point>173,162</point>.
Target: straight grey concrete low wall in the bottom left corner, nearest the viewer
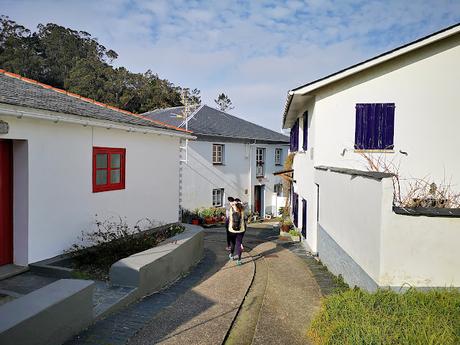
<point>48,316</point>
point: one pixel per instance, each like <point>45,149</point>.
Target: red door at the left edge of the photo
<point>6,202</point>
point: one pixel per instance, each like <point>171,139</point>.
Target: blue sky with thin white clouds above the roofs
<point>253,51</point>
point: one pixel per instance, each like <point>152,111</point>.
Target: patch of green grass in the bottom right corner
<point>386,317</point>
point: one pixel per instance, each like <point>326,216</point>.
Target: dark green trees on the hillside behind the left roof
<point>77,62</point>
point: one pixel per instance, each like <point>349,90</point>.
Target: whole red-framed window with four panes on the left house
<point>108,169</point>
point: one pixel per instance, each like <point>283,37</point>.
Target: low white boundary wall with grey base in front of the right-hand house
<point>364,240</point>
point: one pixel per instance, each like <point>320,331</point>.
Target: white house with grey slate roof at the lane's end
<point>231,157</point>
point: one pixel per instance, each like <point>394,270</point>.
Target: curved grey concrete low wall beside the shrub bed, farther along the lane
<point>154,268</point>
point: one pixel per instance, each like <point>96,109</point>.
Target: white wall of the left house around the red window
<point>60,202</point>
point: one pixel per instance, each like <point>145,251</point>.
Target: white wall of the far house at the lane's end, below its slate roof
<point>236,176</point>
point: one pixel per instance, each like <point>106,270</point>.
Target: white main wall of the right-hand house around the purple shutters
<point>423,85</point>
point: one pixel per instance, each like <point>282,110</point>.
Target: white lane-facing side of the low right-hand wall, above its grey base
<point>350,212</point>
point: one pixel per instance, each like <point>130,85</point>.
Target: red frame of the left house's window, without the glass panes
<point>109,151</point>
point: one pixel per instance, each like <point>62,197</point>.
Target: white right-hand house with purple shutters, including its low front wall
<point>401,108</point>
